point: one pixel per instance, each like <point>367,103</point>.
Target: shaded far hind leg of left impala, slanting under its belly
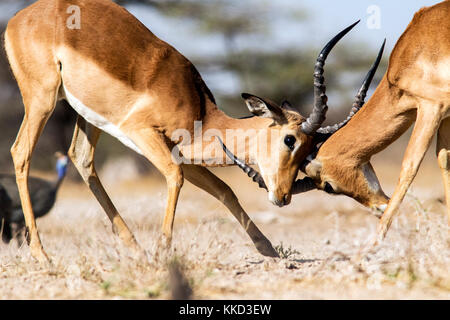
<point>82,152</point>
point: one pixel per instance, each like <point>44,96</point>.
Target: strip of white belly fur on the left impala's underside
<point>99,121</point>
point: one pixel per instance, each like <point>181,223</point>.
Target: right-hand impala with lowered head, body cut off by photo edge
<point>414,88</point>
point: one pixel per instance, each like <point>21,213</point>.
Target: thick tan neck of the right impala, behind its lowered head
<point>384,118</point>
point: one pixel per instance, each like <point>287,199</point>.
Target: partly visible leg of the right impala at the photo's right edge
<point>443,155</point>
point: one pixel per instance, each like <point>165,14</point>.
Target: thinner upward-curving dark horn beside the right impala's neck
<point>360,97</point>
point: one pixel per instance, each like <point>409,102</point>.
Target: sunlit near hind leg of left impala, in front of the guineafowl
<point>39,105</point>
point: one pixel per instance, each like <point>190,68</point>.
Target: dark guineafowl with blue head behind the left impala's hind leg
<point>42,193</point>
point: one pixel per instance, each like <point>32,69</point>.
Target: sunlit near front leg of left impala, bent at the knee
<point>154,147</point>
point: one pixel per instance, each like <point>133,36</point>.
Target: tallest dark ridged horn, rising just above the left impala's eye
<point>317,116</point>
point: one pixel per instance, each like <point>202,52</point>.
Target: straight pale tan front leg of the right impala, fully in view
<point>427,123</point>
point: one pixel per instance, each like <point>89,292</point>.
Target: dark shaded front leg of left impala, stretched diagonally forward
<point>204,179</point>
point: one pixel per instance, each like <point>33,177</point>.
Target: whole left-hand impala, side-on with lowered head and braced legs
<point>123,80</point>
